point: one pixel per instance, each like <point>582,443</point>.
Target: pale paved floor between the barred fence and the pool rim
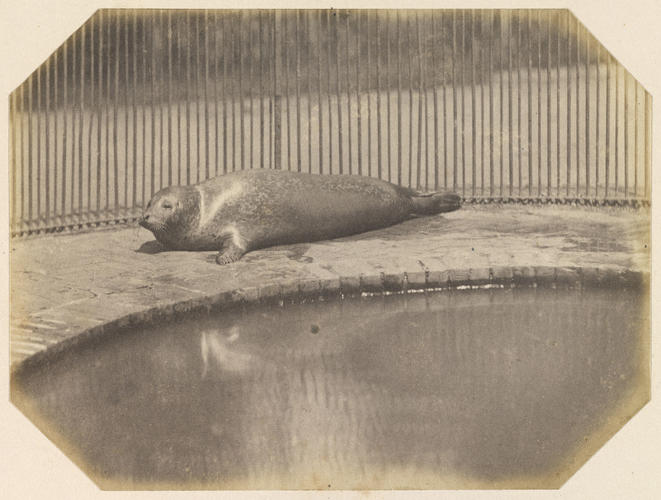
<point>63,285</point>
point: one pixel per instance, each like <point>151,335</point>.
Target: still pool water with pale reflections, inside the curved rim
<point>471,388</point>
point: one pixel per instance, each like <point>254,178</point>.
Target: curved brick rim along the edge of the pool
<point>311,289</point>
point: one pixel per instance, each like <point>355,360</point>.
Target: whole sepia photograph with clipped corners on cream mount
<point>310,249</point>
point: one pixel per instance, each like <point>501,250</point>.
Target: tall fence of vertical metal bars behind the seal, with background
<point>493,104</point>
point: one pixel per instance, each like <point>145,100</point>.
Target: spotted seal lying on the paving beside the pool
<point>251,209</point>
